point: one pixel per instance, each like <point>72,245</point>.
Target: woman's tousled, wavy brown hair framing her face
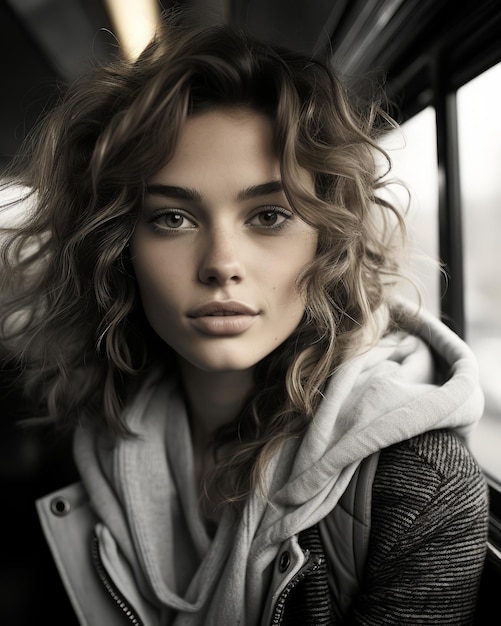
<point>69,298</point>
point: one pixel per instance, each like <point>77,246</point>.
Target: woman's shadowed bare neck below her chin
<point>214,398</point>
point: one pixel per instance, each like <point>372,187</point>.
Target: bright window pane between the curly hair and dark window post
<point>413,153</point>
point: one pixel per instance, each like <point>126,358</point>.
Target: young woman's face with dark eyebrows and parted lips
<point>218,248</point>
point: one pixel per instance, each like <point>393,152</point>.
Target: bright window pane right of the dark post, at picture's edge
<point>479,125</point>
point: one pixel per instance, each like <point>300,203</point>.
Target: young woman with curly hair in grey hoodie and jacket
<point>204,293</point>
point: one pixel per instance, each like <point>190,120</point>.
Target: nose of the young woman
<point>221,259</point>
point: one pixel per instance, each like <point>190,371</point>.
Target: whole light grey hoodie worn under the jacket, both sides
<point>144,490</point>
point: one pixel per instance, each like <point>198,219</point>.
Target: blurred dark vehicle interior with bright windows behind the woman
<point>440,65</point>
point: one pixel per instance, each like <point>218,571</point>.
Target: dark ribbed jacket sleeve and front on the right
<point>427,543</point>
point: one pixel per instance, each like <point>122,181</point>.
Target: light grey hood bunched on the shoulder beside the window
<point>422,378</point>
